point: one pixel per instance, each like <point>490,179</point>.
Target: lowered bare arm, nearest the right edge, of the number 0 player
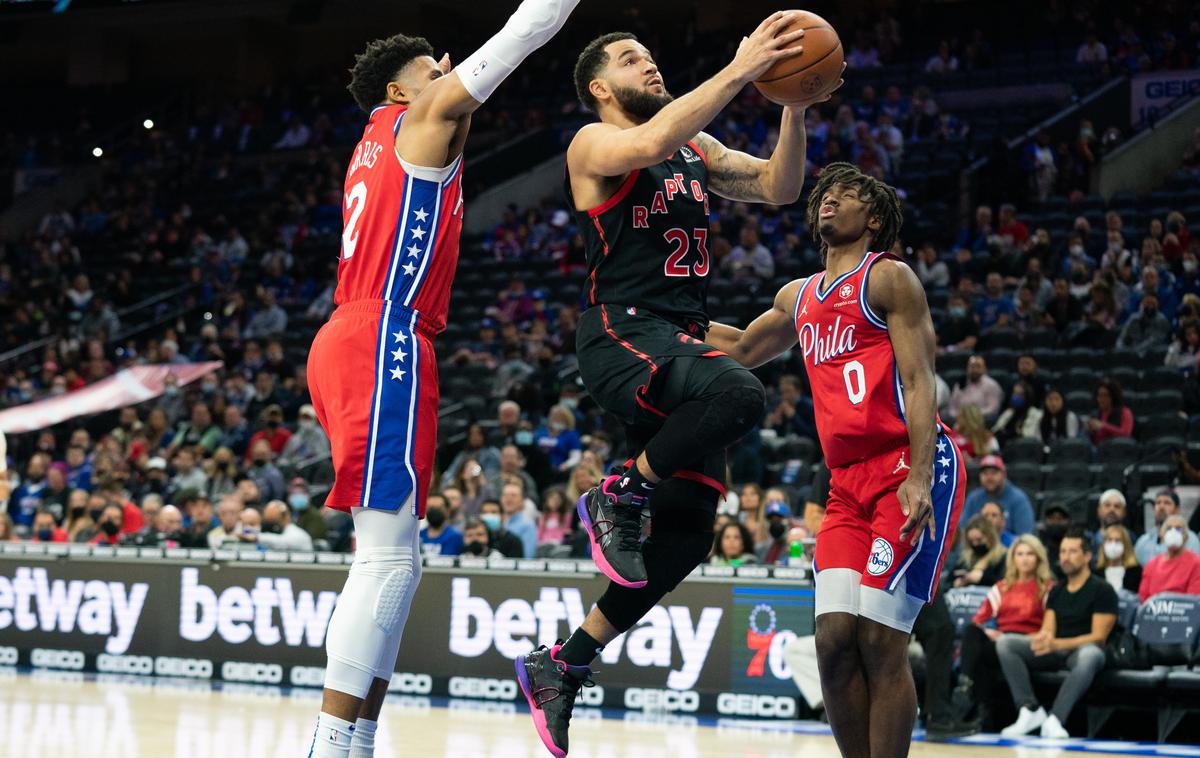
<point>898,293</point>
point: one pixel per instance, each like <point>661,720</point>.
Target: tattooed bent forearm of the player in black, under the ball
<point>739,176</point>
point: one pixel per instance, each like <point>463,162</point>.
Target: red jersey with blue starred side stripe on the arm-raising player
<point>401,226</point>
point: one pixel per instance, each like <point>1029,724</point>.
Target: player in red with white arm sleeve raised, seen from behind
<point>371,369</point>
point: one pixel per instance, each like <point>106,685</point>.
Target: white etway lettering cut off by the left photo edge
<point>92,607</point>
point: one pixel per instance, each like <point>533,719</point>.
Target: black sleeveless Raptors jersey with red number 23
<point>647,245</point>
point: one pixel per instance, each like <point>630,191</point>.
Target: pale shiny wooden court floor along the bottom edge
<point>68,715</point>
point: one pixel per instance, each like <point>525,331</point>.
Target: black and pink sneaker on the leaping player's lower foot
<point>550,688</point>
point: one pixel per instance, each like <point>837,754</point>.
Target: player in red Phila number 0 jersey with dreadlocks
<point>898,480</point>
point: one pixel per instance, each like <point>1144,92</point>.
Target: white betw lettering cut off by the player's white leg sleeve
<point>237,615</point>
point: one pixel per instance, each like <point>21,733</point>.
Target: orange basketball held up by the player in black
<point>812,74</point>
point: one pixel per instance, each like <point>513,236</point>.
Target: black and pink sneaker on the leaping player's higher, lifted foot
<point>615,530</point>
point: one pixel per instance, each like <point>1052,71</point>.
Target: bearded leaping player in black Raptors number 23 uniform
<point>639,182</point>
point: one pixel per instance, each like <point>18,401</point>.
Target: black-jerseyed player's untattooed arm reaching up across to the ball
<point>610,151</point>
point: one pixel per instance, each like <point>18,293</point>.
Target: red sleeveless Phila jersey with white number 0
<point>857,395</point>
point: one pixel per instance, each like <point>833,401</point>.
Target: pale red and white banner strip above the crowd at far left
<point>129,387</point>
